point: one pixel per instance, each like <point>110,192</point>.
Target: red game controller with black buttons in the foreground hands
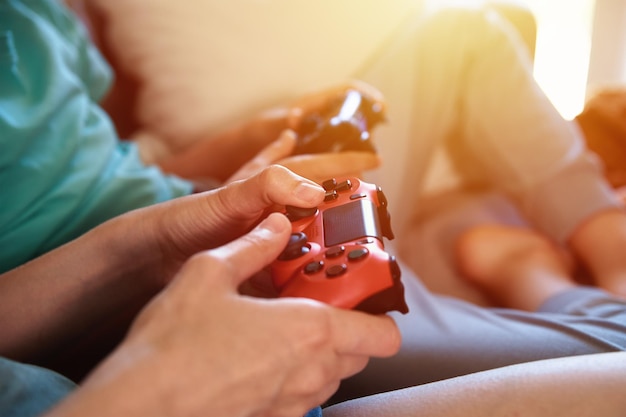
<point>336,253</point>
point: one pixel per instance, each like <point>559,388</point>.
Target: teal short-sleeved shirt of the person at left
<point>63,169</point>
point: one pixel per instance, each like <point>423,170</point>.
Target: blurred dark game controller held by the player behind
<point>344,126</point>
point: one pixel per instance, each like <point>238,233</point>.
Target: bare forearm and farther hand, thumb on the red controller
<point>123,262</point>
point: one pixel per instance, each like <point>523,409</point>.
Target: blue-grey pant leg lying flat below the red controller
<point>445,337</point>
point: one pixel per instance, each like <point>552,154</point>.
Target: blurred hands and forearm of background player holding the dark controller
<point>223,154</point>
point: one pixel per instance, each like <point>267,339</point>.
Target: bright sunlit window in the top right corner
<point>581,48</point>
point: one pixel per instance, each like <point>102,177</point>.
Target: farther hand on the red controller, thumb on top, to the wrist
<point>158,239</point>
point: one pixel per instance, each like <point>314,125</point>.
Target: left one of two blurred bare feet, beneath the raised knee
<point>517,267</point>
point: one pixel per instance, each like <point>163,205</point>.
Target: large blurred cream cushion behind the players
<point>205,63</point>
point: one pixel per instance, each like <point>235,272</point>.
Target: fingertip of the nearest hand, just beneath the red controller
<point>365,334</point>
